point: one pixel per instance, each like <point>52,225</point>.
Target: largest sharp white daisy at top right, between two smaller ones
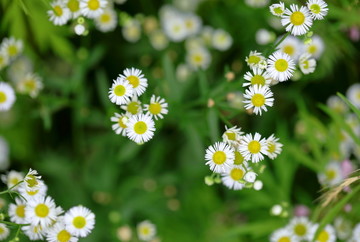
<point>297,21</point>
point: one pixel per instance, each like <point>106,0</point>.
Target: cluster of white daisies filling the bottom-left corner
<point>38,215</point>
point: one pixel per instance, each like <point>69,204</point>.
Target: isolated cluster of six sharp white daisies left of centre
<point>137,120</point>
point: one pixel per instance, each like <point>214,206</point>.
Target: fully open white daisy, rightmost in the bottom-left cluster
<point>79,221</point>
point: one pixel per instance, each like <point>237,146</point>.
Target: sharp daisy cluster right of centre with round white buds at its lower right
<point>236,157</point>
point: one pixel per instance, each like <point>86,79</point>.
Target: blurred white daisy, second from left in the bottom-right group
<point>300,227</point>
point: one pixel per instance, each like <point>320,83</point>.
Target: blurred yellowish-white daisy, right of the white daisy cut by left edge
<point>30,84</point>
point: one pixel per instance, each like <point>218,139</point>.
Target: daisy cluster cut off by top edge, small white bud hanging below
<point>102,12</point>
